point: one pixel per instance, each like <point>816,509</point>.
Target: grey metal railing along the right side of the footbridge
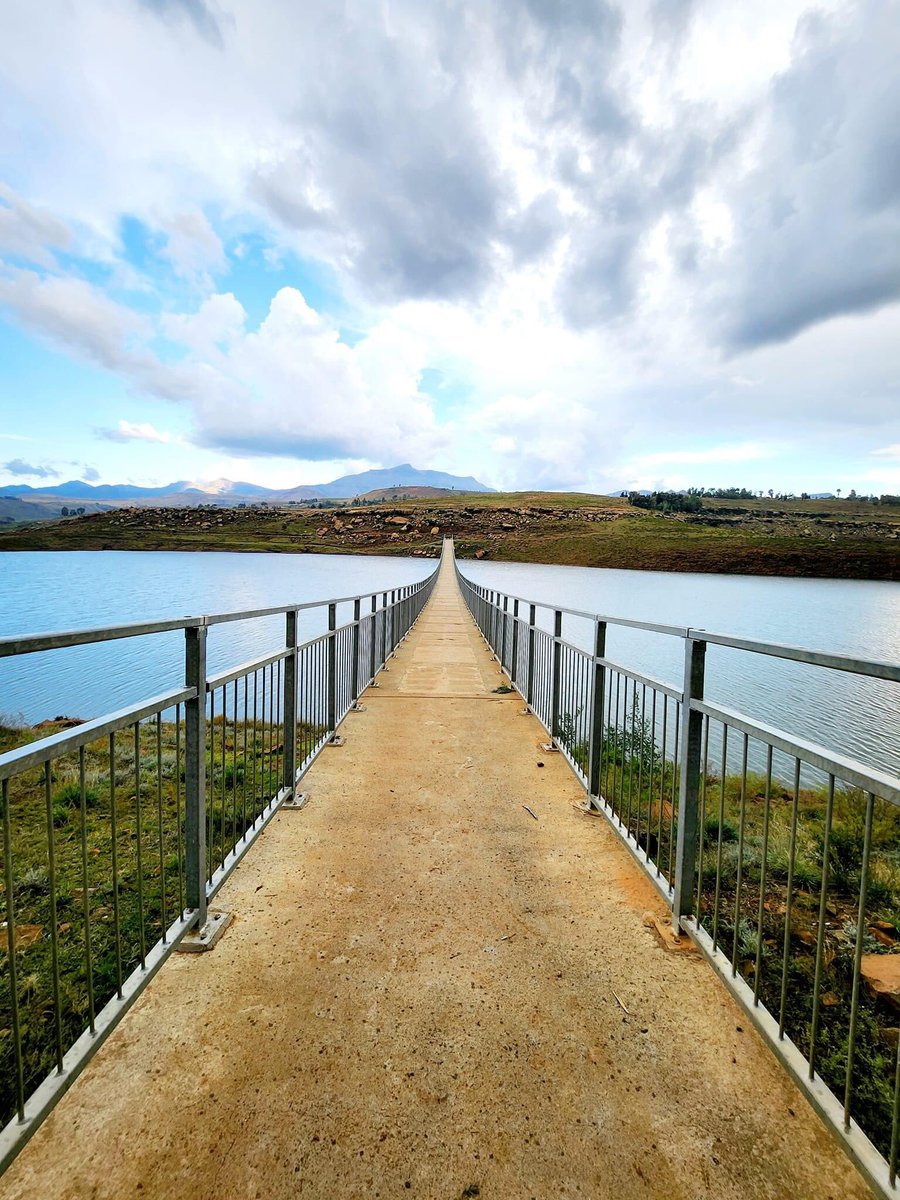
<point>779,857</point>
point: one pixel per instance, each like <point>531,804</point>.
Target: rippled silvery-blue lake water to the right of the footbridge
<point>851,715</point>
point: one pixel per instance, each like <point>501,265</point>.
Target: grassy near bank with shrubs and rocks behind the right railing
<point>778,885</point>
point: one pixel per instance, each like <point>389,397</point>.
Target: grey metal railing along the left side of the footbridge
<point>118,832</point>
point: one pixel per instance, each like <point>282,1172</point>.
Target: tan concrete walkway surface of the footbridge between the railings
<point>429,993</point>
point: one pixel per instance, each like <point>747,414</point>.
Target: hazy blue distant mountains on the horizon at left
<point>226,491</point>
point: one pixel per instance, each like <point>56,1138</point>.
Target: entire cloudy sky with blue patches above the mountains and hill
<point>554,244</point>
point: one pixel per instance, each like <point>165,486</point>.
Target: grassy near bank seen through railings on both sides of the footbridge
<point>773,860</point>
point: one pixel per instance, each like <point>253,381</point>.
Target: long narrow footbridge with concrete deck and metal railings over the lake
<point>448,973</point>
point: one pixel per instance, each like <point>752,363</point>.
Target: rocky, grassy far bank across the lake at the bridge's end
<point>827,539</point>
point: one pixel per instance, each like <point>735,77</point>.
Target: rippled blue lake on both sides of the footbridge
<point>44,591</point>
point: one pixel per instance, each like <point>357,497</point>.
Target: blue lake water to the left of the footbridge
<point>46,591</point>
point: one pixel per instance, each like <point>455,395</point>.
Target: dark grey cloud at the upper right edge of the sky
<point>818,217</point>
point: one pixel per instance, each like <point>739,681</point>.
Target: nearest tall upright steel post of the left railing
<point>196,773</point>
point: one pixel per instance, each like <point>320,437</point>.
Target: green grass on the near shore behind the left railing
<point>118,871</point>
